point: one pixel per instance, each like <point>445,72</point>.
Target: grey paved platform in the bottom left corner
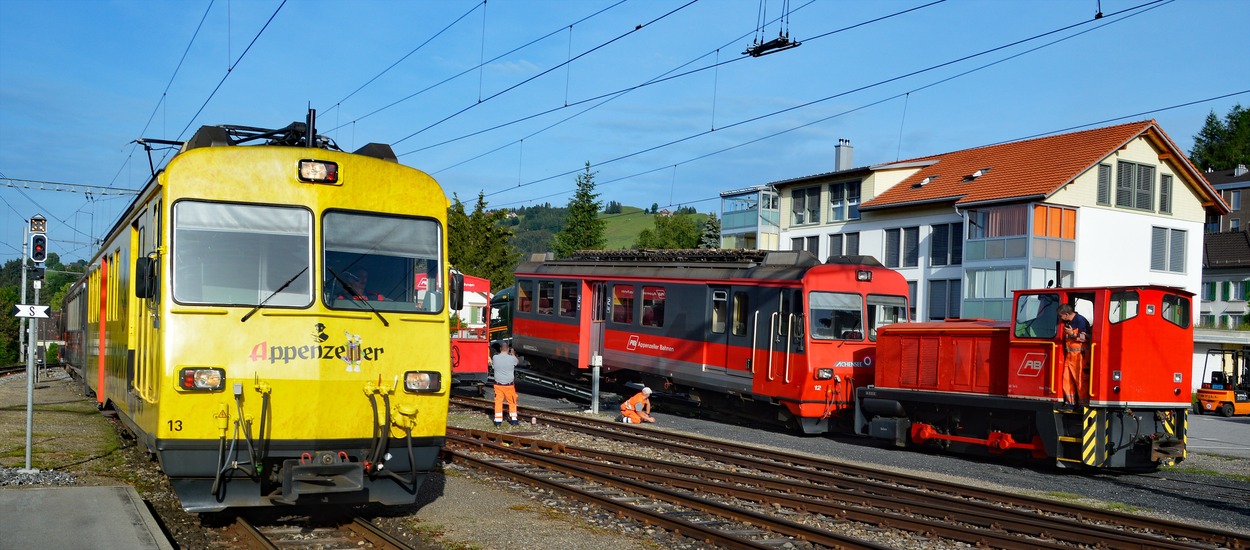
<point>78,518</point>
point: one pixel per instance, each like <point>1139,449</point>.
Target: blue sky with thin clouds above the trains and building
<point>514,98</point>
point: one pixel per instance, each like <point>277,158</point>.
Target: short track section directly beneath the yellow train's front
<point>292,533</point>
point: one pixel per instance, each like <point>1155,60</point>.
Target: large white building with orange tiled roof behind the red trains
<point>1117,206</point>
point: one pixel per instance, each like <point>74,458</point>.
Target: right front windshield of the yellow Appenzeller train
<point>382,263</point>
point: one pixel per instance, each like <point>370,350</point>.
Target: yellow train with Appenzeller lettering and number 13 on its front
<point>269,319</point>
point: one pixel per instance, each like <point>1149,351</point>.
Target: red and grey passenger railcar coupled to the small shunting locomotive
<point>774,332</point>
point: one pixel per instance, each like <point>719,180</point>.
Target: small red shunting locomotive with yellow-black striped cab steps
<point>994,388</point>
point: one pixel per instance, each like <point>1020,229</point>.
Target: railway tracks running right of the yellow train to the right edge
<point>816,492</point>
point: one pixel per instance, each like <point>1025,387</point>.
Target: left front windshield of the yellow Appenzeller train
<point>233,254</point>
